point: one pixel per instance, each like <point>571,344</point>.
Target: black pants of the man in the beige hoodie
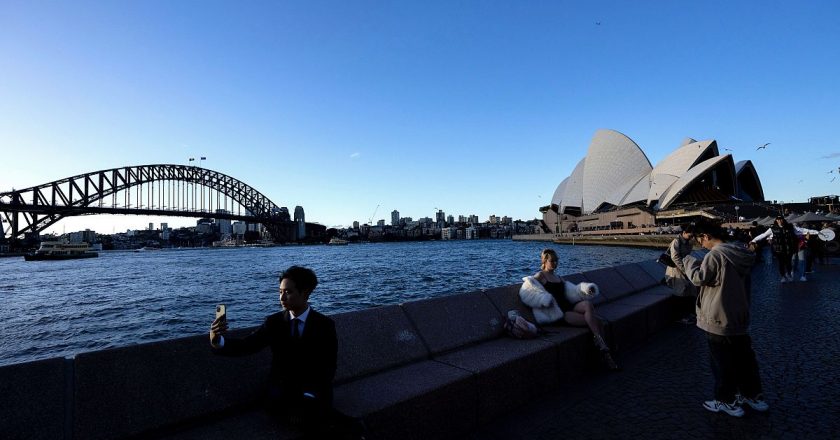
<point>734,367</point>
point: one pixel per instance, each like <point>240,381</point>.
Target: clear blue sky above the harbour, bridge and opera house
<point>353,107</point>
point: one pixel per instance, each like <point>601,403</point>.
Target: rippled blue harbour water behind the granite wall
<point>60,308</point>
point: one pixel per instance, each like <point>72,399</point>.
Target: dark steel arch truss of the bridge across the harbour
<point>34,209</point>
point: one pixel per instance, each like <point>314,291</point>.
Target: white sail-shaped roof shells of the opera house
<point>616,172</point>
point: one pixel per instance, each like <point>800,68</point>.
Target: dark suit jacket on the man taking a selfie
<point>298,365</point>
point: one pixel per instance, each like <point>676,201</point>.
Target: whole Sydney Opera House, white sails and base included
<point>615,187</point>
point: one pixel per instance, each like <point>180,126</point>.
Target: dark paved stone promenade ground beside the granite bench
<point>796,336</point>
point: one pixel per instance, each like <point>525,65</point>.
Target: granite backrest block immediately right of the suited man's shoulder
<point>375,339</point>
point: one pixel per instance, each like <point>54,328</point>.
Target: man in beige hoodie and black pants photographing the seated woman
<point>723,312</point>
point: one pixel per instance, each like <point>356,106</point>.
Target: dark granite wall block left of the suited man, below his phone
<point>127,391</point>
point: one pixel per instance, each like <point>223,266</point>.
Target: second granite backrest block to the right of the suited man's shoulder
<point>454,321</point>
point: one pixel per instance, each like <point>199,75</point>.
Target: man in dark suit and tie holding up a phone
<point>304,349</point>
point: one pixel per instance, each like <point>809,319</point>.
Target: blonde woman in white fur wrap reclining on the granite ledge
<point>553,299</point>
